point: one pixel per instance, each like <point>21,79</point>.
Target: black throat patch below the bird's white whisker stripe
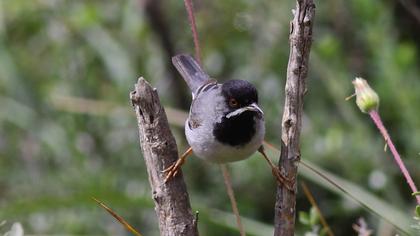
<point>237,130</point>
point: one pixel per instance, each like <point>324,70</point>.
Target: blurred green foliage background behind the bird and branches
<point>57,150</point>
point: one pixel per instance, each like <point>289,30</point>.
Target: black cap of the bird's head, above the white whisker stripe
<point>239,93</point>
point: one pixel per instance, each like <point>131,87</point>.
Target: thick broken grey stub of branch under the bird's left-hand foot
<point>159,148</point>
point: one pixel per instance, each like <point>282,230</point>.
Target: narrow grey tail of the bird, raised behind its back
<point>191,71</point>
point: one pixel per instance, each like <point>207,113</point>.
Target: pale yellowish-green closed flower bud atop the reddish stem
<point>366,99</point>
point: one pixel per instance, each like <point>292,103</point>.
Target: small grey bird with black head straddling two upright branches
<point>225,123</point>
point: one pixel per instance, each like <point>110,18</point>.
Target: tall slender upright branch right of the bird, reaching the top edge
<point>297,70</point>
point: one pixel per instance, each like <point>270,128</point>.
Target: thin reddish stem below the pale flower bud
<point>378,122</point>
